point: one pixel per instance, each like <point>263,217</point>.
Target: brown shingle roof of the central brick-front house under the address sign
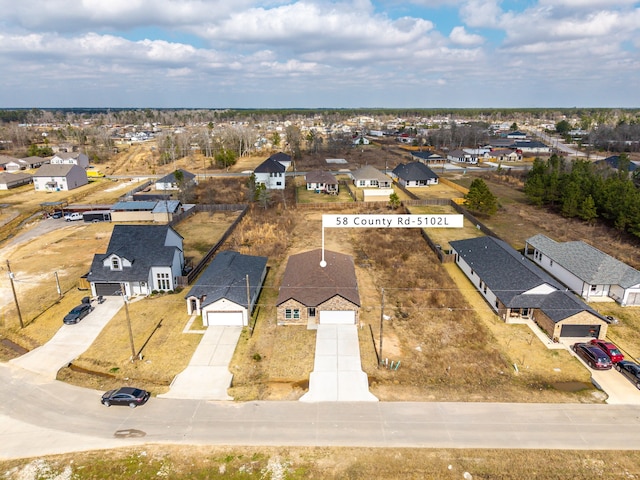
<point>307,282</point>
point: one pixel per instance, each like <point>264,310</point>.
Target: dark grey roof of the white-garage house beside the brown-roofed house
<point>226,277</point>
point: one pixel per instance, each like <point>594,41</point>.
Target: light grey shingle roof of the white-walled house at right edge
<point>587,262</point>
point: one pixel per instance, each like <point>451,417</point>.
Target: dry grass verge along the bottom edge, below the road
<point>298,463</point>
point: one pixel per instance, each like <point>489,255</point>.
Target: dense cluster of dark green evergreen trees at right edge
<point>588,191</point>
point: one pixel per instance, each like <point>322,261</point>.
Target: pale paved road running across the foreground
<point>39,417</point>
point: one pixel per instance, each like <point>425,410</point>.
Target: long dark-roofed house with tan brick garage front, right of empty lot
<point>515,288</point>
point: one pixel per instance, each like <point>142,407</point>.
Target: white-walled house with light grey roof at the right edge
<point>587,271</point>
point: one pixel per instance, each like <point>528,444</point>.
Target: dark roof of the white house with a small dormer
<point>143,245</point>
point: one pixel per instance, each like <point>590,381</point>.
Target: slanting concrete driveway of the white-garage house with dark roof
<point>207,377</point>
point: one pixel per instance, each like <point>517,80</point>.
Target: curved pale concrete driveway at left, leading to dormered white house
<point>70,341</point>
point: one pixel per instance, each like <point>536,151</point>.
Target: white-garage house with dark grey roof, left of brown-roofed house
<point>227,291</point>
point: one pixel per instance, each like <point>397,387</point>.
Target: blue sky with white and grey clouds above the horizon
<point>318,53</point>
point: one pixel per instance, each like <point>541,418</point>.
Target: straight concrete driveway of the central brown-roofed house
<point>337,372</point>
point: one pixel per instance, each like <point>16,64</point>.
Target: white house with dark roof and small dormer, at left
<point>140,258</point>
